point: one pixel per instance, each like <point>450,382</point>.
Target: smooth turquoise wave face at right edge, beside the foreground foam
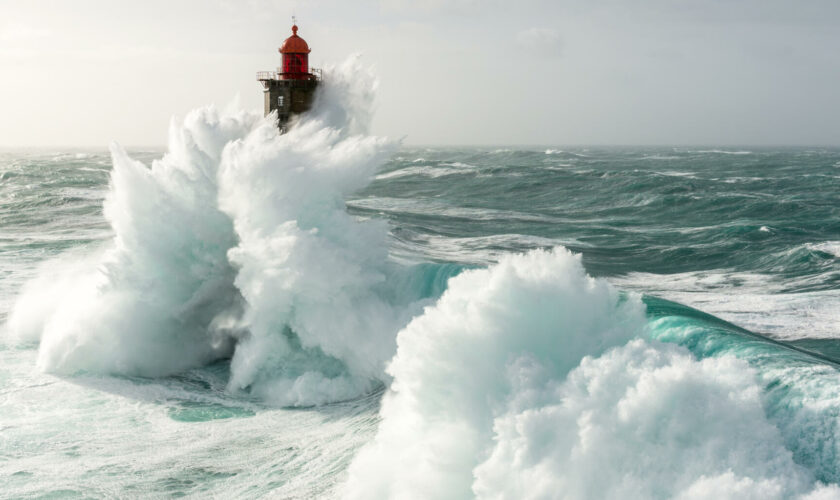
<point>800,379</point>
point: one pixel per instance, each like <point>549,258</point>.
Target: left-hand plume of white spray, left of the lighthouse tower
<point>154,303</point>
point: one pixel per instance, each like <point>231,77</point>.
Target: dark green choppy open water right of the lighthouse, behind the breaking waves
<point>749,234</point>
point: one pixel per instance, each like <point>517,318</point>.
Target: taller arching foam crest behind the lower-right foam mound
<point>448,373</point>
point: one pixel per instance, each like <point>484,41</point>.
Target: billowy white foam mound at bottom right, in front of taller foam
<point>641,421</point>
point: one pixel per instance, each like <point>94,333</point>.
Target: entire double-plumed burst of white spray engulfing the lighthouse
<point>237,243</point>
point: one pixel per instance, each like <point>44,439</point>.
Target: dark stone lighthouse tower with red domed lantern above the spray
<point>291,89</point>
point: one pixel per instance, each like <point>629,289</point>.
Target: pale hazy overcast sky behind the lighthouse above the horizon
<point>714,72</point>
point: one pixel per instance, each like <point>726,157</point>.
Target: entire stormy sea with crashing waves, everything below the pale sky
<point>332,315</point>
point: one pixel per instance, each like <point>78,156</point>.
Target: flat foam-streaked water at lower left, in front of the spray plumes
<point>108,437</point>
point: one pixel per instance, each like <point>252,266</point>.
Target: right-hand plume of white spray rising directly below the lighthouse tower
<point>321,312</point>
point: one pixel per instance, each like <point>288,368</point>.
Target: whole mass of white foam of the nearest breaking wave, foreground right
<point>526,380</point>
